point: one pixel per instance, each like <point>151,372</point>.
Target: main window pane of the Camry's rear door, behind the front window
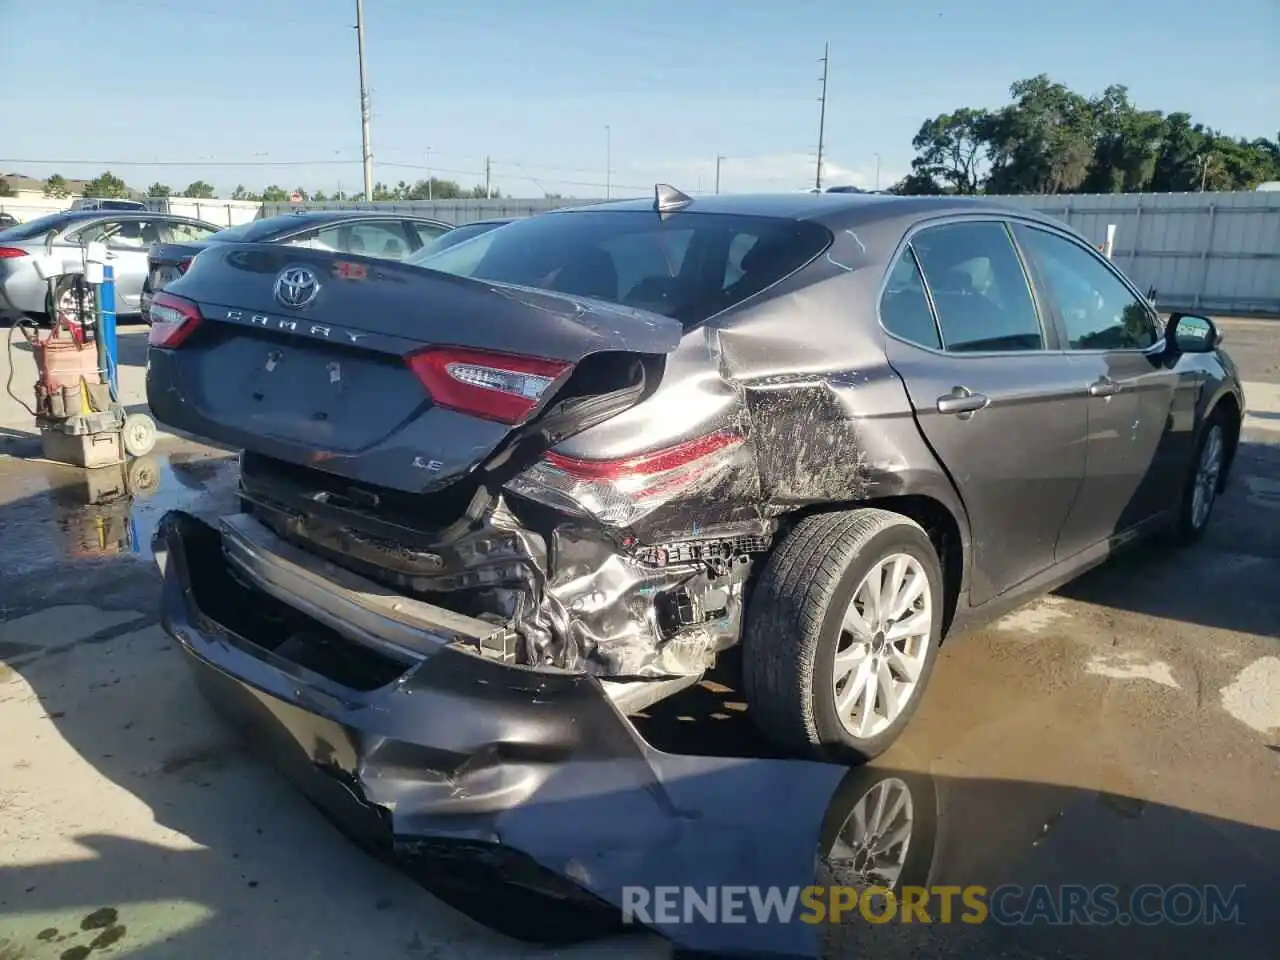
<point>980,290</point>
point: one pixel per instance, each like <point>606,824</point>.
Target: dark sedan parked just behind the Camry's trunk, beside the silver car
<point>385,236</point>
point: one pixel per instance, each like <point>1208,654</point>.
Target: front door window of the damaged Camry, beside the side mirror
<point>1098,309</point>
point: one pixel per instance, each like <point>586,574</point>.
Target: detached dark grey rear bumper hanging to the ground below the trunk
<point>385,711</point>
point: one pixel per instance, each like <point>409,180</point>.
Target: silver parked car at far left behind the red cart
<point>129,237</point>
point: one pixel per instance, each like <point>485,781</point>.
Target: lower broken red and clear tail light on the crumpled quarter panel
<point>621,492</point>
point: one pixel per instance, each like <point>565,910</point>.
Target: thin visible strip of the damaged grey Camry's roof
<point>830,209</point>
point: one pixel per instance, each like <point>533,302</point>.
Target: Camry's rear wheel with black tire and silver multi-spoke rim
<point>815,601</point>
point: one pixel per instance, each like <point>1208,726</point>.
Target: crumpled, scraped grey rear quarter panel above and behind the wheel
<point>802,373</point>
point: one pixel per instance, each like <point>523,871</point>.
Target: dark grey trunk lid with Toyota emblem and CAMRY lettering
<point>318,359</point>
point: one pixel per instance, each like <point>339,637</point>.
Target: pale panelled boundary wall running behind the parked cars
<point>1212,252</point>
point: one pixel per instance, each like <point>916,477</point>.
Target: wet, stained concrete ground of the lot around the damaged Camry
<point>1126,730</point>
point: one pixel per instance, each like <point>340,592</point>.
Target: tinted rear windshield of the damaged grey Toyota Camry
<point>689,267</point>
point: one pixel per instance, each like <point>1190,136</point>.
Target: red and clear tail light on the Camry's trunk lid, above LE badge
<point>490,386</point>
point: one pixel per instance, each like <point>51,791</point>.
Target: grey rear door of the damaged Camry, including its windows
<point>1002,408</point>
